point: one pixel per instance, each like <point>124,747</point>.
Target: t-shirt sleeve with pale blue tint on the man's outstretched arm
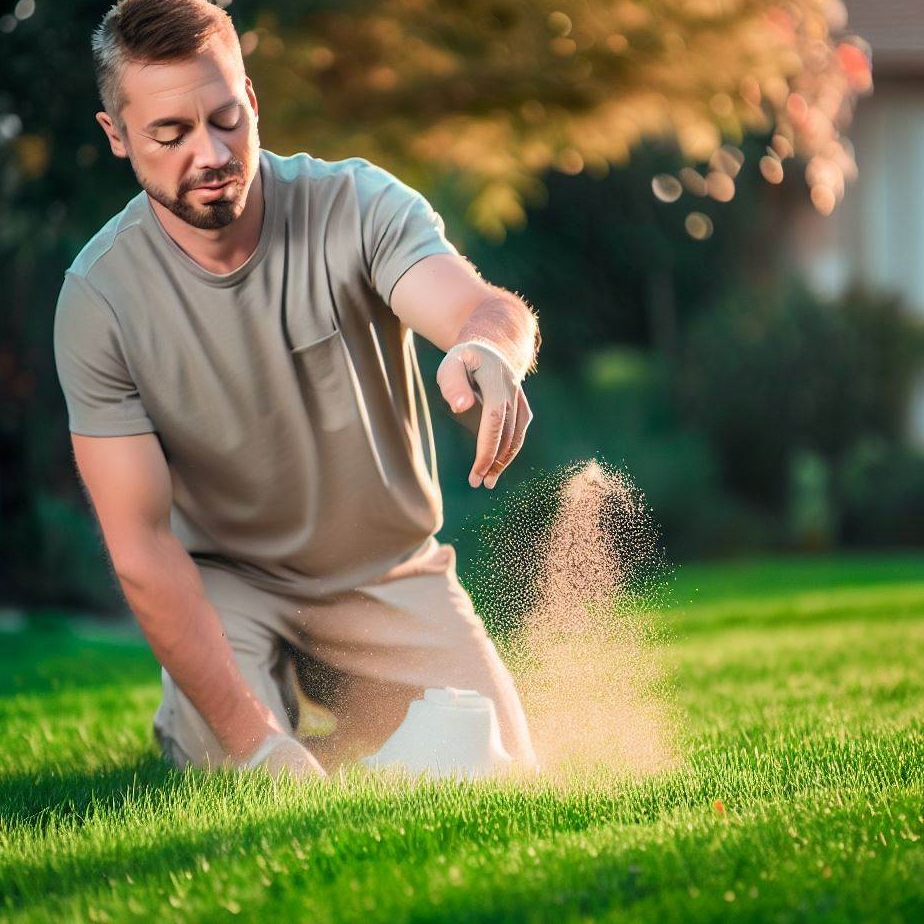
<point>399,227</point>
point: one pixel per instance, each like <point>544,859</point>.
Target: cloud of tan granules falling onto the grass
<point>571,591</point>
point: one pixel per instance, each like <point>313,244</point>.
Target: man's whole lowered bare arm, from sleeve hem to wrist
<point>129,485</point>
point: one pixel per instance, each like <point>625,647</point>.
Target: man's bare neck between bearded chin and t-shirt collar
<point>221,250</point>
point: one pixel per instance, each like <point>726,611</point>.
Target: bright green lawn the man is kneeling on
<point>800,687</point>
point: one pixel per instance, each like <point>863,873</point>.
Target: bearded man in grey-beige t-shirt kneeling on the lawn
<point>247,415</point>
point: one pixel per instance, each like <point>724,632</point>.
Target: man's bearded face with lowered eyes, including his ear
<point>186,124</point>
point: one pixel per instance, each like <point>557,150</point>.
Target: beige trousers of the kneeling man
<point>359,659</point>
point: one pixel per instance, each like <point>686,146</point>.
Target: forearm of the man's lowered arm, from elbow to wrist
<point>166,594</point>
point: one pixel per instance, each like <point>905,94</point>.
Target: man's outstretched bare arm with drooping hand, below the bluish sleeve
<point>491,339</point>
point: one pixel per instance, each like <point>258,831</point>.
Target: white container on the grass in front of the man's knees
<point>449,732</point>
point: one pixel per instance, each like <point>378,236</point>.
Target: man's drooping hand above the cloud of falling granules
<point>472,371</point>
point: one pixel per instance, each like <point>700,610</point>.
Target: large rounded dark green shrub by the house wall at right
<point>769,374</point>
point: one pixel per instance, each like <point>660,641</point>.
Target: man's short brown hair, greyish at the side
<point>152,30</point>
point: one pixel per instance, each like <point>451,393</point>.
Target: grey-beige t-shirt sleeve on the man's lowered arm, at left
<point>101,397</point>
